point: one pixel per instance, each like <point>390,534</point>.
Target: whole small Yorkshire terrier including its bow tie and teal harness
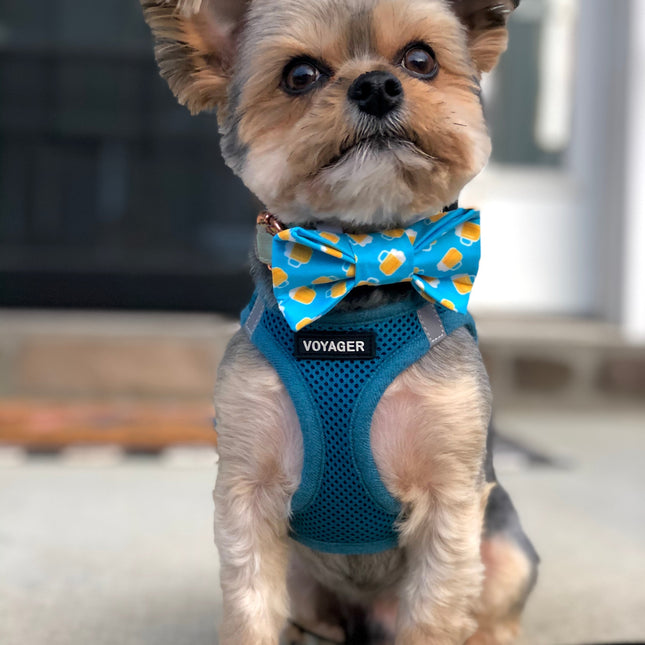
<point>356,499</point>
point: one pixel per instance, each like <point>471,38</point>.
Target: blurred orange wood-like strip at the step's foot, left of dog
<point>143,425</point>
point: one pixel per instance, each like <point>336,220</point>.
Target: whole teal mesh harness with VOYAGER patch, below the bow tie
<point>336,373</point>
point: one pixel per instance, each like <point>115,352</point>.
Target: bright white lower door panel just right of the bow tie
<point>535,244</point>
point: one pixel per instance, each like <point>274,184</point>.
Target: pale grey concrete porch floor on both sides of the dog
<point>122,554</point>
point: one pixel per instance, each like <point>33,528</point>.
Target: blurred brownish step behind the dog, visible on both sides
<point>141,356</point>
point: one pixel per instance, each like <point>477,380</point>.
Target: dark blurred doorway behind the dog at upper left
<point>111,195</point>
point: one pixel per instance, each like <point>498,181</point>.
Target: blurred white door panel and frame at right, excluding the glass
<point>555,239</point>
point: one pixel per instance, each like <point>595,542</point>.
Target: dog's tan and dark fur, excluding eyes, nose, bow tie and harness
<point>464,567</point>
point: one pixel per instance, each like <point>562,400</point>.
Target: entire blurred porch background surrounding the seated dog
<point>123,268</point>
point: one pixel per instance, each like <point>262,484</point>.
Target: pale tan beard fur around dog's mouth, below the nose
<point>380,175</point>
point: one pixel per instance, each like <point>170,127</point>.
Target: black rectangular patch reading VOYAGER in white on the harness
<point>335,345</point>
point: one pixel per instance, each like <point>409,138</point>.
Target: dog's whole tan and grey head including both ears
<point>354,112</point>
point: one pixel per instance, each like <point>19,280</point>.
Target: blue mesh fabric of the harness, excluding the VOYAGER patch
<point>349,512</point>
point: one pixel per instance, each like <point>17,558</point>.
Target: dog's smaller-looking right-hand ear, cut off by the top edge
<point>486,22</point>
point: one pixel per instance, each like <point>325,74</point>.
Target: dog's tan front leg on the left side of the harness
<point>260,449</point>
